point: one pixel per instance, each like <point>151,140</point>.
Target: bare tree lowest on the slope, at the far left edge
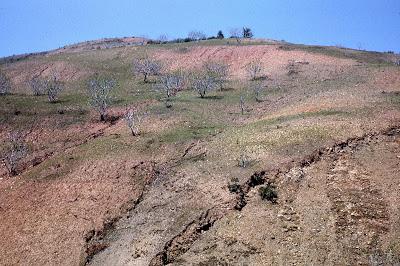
<point>16,150</point>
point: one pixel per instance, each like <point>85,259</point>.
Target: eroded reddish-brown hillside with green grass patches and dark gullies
<point>325,136</point>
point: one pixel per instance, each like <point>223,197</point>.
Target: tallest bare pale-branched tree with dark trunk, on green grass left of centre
<point>99,89</point>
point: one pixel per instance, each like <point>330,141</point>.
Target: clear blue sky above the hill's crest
<point>39,25</point>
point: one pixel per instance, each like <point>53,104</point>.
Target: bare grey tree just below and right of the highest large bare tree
<point>170,84</point>
